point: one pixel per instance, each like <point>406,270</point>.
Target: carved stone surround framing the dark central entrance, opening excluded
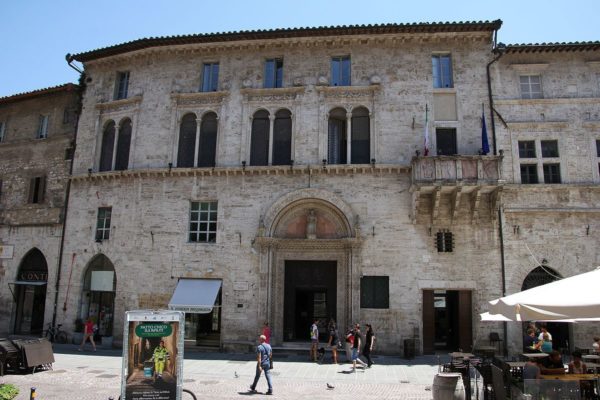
<point>308,225</point>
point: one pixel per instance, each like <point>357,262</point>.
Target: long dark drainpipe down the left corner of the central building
<point>81,89</point>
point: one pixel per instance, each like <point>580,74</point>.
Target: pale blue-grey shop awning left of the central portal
<point>195,295</point>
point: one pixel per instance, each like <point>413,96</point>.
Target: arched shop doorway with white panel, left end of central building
<point>98,295</point>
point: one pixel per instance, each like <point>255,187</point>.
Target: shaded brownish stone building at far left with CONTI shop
<point>37,133</point>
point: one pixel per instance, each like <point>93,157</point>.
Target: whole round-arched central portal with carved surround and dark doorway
<point>308,268</point>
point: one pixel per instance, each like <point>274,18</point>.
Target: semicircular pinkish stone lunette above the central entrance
<point>287,217</point>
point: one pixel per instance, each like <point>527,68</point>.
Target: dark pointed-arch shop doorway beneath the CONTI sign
<point>30,293</point>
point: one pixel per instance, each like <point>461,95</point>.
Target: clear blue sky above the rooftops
<point>35,35</point>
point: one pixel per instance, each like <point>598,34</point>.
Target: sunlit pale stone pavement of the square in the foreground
<point>96,376</point>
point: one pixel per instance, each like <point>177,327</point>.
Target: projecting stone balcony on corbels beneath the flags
<point>445,186</point>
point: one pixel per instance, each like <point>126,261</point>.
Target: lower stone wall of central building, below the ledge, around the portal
<point>147,264</point>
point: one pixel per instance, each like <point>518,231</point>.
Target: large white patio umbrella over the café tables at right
<point>573,299</point>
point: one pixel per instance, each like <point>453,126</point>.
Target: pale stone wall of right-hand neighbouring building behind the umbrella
<point>558,223</point>
